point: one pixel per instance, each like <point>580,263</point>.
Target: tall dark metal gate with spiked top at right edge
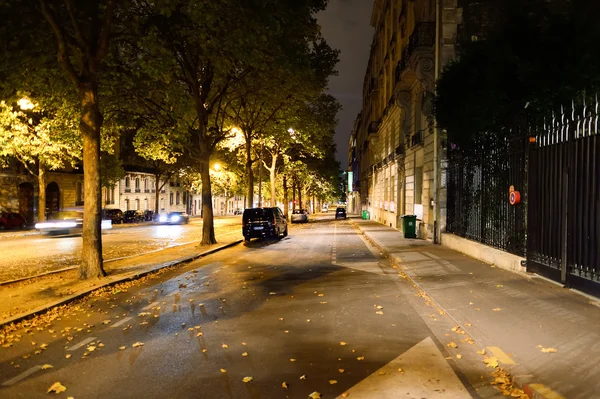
<point>563,227</point>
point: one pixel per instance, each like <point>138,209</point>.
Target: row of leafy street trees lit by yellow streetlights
<point>185,76</point>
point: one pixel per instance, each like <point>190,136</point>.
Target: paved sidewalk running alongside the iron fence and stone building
<point>544,335</point>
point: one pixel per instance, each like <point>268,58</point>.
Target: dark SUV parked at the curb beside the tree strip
<point>263,222</point>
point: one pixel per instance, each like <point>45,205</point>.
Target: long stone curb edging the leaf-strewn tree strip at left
<point>81,294</point>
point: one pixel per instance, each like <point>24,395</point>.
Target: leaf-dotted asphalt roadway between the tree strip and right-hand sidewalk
<point>318,310</point>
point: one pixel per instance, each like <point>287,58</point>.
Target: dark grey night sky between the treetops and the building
<point>346,26</point>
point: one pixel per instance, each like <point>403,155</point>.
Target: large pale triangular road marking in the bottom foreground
<point>427,374</point>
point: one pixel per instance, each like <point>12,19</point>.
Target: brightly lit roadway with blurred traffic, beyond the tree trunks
<point>35,254</point>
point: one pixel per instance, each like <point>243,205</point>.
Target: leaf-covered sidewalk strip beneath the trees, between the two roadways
<point>22,300</point>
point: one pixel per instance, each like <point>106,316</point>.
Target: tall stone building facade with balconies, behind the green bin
<point>396,155</point>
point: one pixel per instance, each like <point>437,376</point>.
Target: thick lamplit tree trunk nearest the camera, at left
<point>90,125</point>
